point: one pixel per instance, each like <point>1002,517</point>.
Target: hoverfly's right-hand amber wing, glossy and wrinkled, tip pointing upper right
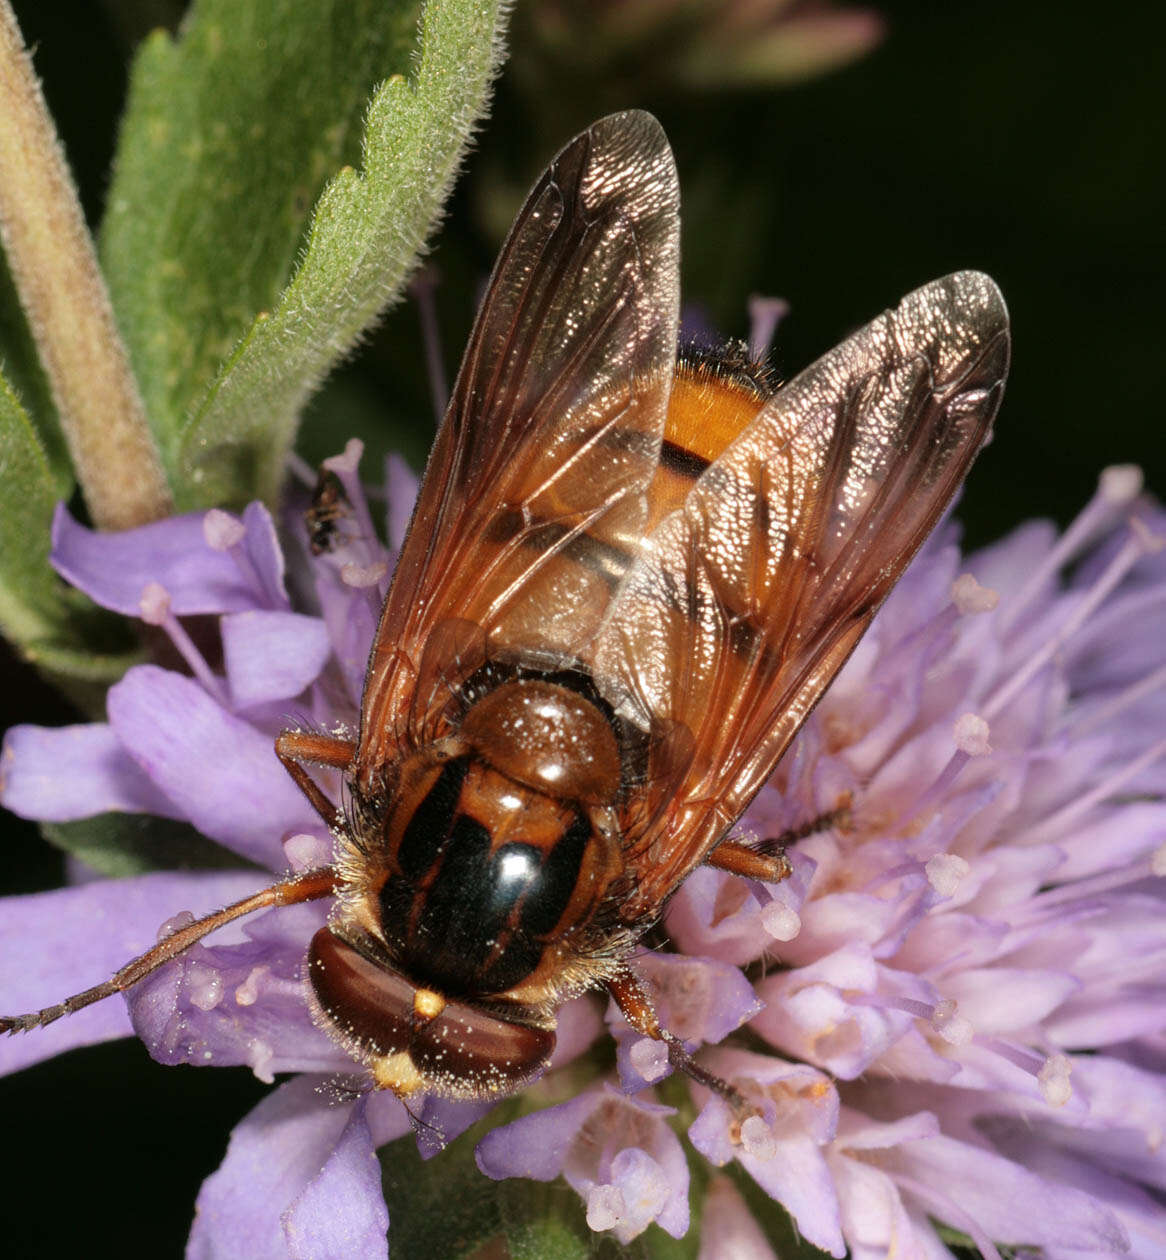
<point>751,598</point>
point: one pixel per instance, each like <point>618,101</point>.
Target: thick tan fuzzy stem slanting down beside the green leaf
<point>69,308</point>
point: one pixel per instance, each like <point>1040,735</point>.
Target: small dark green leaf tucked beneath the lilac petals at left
<point>125,845</point>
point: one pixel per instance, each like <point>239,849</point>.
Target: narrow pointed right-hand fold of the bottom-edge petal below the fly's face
<point>342,1210</point>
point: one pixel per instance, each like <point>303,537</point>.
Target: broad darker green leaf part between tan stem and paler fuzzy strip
<point>230,134</point>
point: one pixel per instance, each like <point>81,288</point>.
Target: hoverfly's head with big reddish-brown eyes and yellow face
<point>417,1040</point>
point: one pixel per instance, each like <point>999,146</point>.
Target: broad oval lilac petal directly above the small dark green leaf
<point>220,772</point>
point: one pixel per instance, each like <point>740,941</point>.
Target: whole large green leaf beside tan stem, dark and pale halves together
<point>230,135</point>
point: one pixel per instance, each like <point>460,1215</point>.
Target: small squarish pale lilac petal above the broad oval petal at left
<point>273,656</point>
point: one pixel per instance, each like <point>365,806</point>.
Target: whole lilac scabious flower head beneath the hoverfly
<point>950,1021</point>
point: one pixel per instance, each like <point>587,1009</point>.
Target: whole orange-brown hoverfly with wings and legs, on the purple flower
<point>627,583</point>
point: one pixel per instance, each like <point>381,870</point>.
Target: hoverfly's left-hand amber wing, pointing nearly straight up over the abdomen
<point>534,501</point>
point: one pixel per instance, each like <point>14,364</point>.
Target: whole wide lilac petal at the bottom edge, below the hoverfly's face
<point>292,1161</point>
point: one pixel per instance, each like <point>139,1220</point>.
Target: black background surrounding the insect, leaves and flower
<point>1024,140</point>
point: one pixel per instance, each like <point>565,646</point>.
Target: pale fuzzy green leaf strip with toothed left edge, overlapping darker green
<point>366,235</point>
